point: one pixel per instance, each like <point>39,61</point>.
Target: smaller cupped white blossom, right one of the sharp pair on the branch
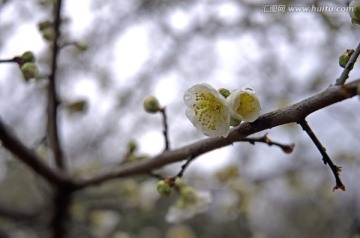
<point>245,104</point>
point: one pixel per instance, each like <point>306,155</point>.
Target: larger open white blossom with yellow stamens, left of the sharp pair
<point>208,110</point>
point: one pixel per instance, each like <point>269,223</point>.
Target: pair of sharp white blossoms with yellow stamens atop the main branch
<point>211,113</point>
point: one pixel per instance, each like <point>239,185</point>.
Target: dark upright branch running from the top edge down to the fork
<point>53,135</point>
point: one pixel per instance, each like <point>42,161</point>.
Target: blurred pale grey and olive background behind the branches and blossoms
<point>157,47</point>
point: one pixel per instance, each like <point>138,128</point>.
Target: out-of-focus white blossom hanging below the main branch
<point>185,208</point>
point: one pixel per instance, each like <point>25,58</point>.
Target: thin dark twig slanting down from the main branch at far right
<point>335,169</point>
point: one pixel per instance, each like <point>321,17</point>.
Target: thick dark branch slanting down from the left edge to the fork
<point>13,144</point>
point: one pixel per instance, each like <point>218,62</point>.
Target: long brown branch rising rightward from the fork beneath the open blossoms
<point>290,114</point>
